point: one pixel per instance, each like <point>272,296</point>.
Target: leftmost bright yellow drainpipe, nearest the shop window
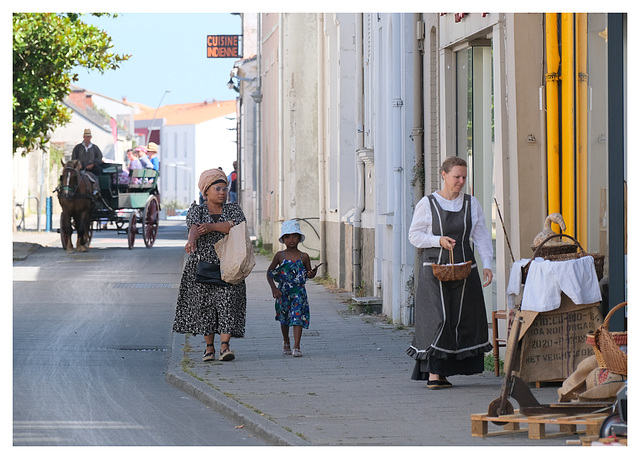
<point>553,130</point>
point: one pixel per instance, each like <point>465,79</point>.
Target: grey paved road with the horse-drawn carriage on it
<point>91,344</point>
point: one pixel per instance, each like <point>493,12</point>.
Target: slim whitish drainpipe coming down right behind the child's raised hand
<point>322,156</point>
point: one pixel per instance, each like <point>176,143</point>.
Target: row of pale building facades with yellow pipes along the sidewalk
<point>359,110</point>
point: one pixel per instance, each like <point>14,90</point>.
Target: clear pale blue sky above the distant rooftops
<point>168,52</point>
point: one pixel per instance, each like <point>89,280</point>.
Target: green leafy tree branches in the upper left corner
<point>47,48</point>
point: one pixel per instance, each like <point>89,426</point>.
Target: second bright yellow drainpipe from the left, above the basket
<point>568,123</point>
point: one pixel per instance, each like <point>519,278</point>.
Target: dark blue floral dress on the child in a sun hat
<point>292,308</point>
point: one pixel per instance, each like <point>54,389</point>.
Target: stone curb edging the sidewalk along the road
<point>268,430</point>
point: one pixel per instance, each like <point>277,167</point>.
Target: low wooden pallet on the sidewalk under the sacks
<point>536,425</point>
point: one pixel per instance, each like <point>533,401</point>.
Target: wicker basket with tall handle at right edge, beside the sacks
<point>606,345</point>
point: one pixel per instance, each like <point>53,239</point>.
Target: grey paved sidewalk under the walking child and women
<point>352,385</point>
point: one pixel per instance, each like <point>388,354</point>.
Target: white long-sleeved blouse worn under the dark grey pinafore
<point>421,229</point>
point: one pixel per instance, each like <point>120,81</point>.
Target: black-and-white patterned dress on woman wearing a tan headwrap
<point>204,309</point>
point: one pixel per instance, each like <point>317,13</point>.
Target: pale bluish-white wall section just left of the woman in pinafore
<point>388,87</point>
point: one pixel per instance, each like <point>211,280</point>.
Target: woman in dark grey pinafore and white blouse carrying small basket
<point>451,333</point>
